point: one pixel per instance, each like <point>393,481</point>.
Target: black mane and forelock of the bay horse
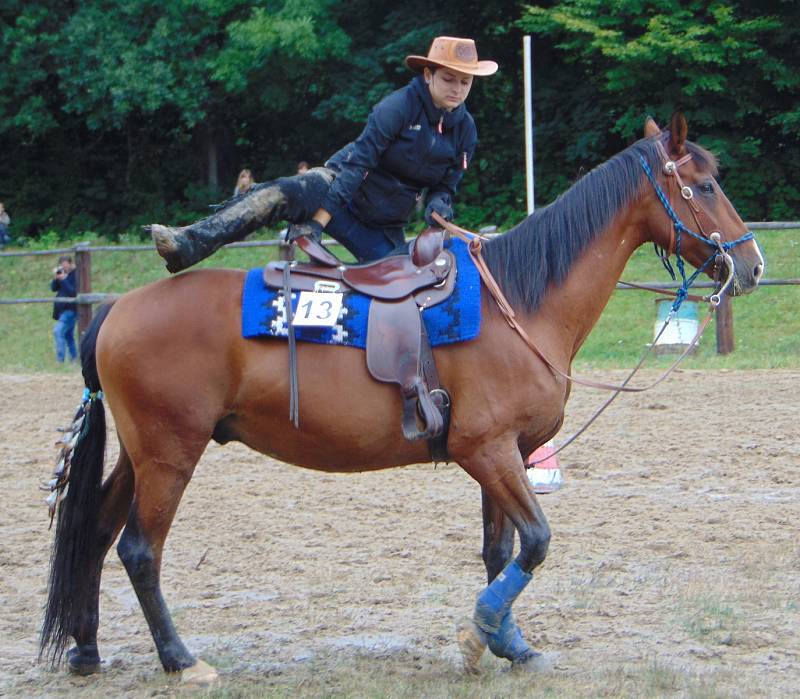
<point>544,246</point>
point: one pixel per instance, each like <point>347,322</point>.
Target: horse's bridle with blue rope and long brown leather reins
<point>713,239</point>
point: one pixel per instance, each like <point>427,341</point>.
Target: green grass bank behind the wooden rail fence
<point>766,324</point>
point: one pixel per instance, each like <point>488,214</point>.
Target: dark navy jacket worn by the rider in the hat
<point>407,145</point>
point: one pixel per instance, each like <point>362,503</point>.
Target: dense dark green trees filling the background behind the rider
<point>118,113</point>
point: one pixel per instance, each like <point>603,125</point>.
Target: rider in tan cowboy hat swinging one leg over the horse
<point>420,136</point>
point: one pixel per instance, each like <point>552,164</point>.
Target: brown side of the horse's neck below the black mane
<point>574,307</point>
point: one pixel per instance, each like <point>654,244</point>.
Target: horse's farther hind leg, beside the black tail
<point>117,494</point>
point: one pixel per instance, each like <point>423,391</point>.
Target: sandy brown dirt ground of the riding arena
<point>675,543</point>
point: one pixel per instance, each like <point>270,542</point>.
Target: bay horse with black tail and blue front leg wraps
<point>175,373</point>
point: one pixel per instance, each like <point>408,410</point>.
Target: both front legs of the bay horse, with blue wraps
<point>508,503</point>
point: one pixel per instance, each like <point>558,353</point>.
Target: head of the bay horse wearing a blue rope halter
<point>694,217</point>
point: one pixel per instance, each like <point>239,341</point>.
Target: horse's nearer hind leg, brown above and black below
<point>160,482</point>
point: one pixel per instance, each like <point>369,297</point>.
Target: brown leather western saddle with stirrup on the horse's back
<point>398,351</point>
